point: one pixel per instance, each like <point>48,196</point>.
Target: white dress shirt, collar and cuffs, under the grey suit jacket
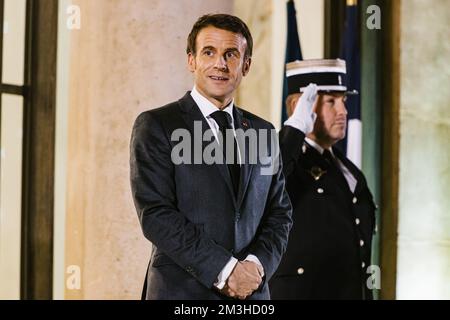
<point>207,108</point>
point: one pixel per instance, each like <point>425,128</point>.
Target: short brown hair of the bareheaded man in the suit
<point>224,22</point>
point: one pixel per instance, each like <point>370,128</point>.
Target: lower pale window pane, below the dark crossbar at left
<point>10,195</point>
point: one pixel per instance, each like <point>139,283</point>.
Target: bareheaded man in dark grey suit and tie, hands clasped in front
<point>218,229</point>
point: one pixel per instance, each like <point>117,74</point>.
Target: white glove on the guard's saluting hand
<point>303,117</point>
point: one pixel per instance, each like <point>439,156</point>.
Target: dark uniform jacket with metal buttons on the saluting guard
<point>329,246</point>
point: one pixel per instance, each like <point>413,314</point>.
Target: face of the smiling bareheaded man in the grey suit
<point>218,64</point>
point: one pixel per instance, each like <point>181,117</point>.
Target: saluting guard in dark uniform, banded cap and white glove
<point>334,214</point>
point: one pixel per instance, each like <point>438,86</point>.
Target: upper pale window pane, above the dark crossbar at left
<point>14,41</point>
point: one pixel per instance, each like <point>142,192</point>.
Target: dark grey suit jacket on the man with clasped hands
<point>190,213</point>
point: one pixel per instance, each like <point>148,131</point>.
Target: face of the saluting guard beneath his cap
<point>331,120</point>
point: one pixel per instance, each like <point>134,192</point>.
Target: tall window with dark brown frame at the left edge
<point>28,31</point>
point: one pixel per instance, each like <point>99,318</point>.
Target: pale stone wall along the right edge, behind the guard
<point>424,203</point>
